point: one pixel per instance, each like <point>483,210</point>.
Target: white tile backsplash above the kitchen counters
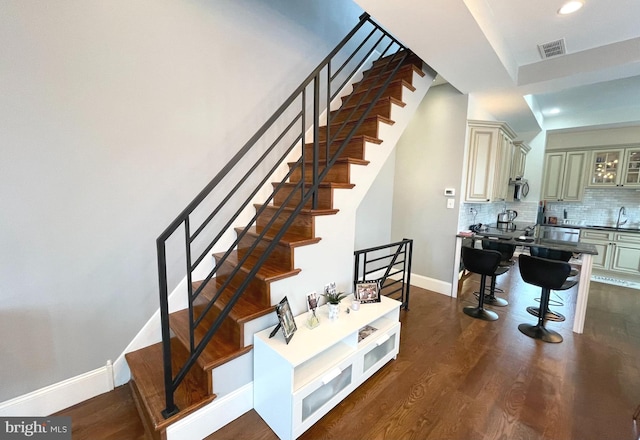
<point>600,206</point>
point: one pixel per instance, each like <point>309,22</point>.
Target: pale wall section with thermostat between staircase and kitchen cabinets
<point>428,160</point>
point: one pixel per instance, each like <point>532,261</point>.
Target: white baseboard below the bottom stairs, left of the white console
<point>214,416</point>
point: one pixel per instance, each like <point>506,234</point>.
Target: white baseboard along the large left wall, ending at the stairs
<point>59,396</point>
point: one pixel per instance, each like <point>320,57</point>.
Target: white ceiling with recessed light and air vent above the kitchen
<point>489,49</point>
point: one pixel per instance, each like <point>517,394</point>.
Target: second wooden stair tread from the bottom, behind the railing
<point>217,352</point>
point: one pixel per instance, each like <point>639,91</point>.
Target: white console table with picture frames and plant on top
<point>296,384</point>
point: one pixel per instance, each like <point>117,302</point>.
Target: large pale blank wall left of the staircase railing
<point>115,114</point>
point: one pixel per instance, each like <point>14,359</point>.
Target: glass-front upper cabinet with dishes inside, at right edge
<point>615,168</point>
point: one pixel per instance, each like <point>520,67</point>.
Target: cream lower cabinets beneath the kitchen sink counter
<point>617,251</point>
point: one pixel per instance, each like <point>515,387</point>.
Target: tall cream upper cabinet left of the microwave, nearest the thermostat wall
<point>489,161</point>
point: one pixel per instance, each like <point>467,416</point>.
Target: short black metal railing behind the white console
<point>391,264</point>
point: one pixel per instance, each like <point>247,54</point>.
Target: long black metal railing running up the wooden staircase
<point>225,201</point>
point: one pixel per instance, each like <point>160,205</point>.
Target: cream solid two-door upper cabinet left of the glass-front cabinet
<point>563,178</point>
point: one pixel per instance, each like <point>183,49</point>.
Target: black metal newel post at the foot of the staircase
<point>170,408</point>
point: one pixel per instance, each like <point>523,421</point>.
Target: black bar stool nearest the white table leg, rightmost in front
<point>547,274</point>
